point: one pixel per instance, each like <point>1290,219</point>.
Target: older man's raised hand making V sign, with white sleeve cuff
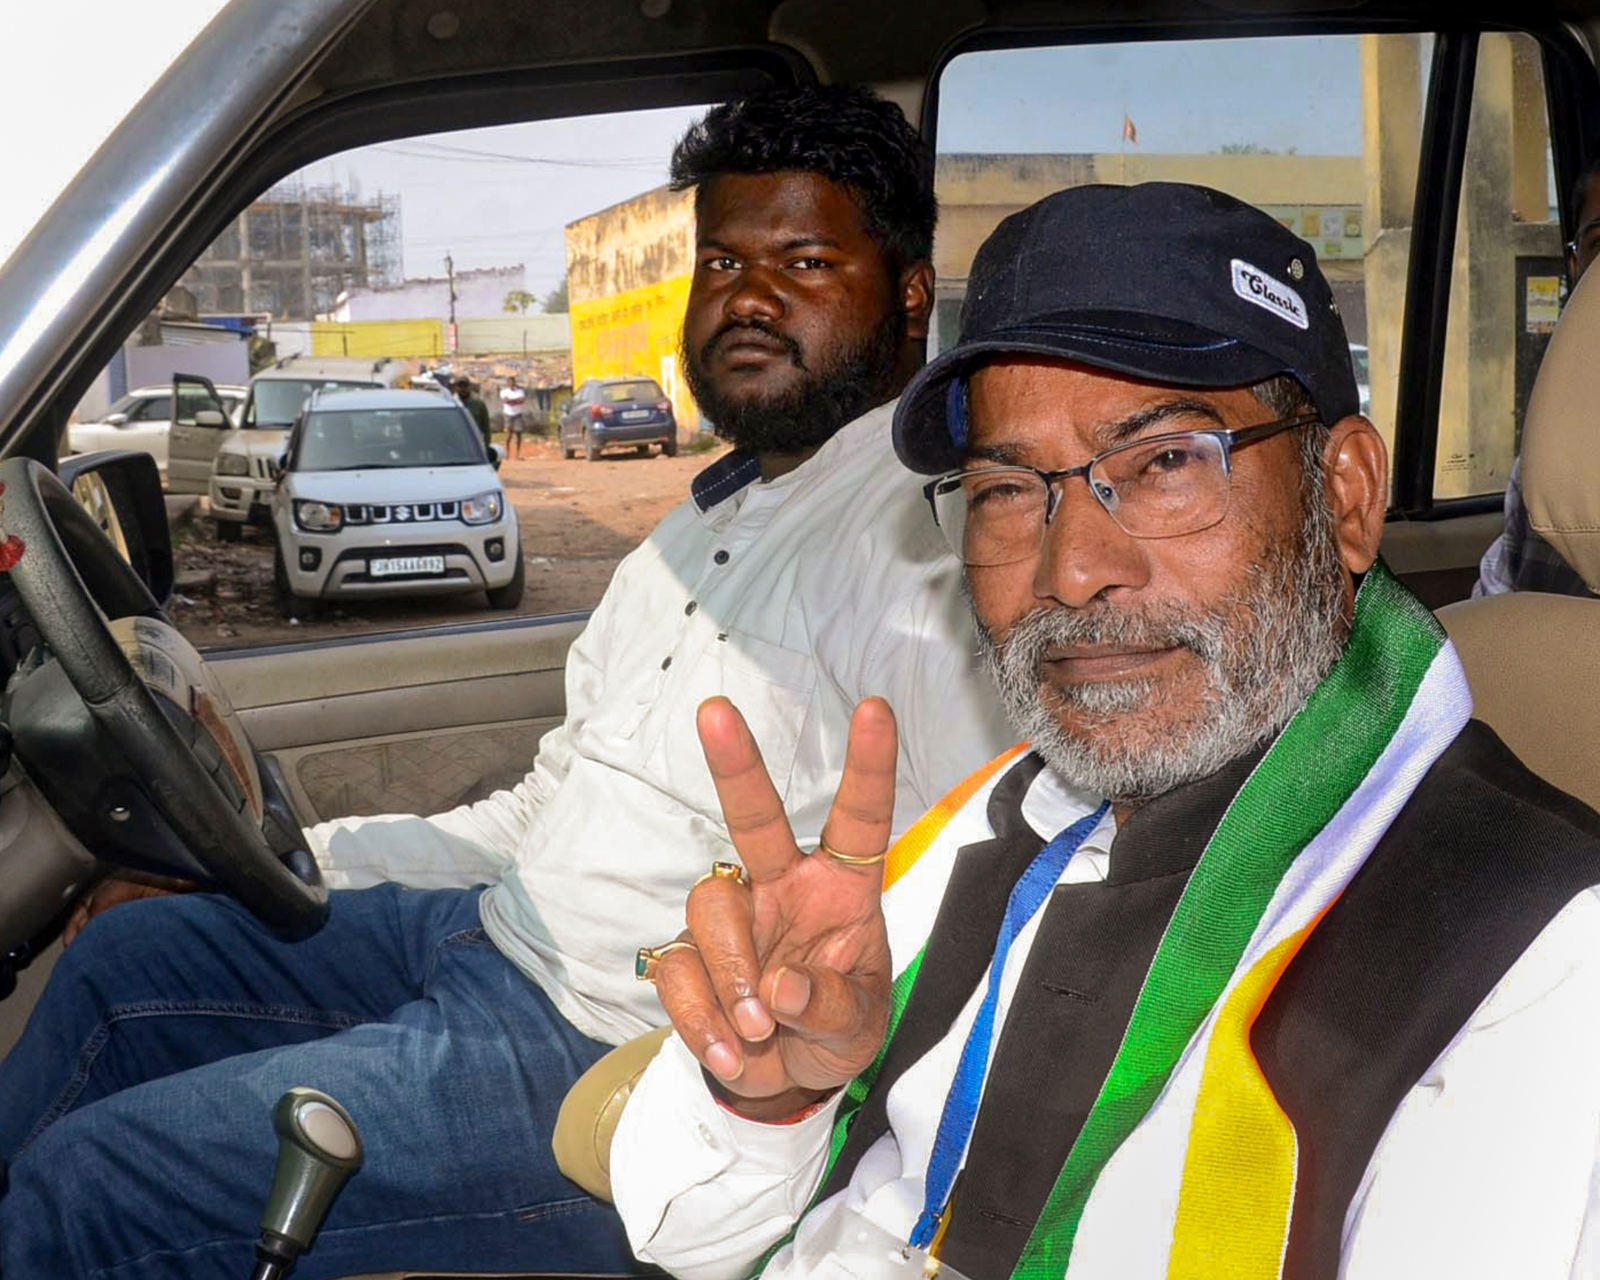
<point>782,999</point>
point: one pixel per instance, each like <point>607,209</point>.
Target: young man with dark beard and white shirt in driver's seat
<point>799,580</point>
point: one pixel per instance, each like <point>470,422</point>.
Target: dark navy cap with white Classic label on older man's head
<point>1164,281</point>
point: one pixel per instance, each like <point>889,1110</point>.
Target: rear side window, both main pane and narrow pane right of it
<point>1324,132</point>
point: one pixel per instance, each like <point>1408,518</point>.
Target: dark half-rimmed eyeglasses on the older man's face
<point>1159,487</point>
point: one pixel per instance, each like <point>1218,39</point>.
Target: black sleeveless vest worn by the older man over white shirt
<point>1476,865</point>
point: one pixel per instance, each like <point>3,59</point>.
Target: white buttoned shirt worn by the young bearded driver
<point>796,599</point>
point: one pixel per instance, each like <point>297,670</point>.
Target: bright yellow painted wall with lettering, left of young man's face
<point>636,334</point>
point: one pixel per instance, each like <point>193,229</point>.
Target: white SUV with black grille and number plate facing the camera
<point>390,494</point>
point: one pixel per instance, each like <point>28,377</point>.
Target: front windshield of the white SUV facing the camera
<point>361,439</point>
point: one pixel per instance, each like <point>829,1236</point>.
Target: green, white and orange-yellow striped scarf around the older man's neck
<point>1186,1127</point>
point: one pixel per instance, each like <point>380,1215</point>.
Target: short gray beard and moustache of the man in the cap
<point>1263,650</point>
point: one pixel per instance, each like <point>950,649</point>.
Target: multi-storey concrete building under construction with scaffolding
<point>297,249</point>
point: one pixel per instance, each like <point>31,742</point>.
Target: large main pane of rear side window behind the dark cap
<point>1321,132</point>
